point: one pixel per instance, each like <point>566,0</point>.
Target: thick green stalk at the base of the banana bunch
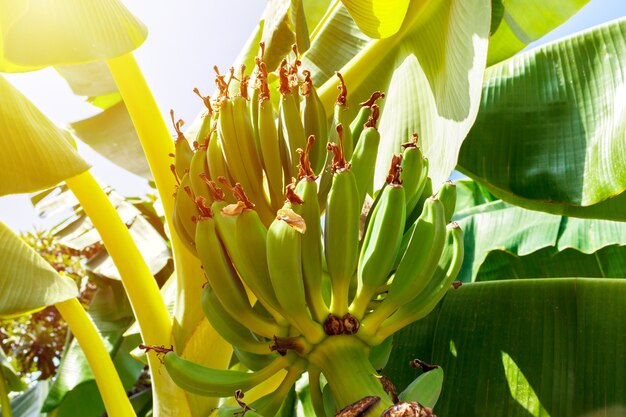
<point>344,361</point>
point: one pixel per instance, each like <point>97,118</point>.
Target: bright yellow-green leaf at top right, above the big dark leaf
<point>516,23</point>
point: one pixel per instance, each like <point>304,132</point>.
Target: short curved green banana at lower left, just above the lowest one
<point>228,327</point>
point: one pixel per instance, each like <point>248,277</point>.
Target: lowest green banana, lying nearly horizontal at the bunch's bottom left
<point>202,380</point>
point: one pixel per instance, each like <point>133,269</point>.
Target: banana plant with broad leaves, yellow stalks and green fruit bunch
<point>444,69</point>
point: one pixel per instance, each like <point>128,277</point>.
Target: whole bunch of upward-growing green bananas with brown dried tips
<point>271,202</point>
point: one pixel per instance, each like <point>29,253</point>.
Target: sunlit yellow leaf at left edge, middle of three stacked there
<point>35,153</point>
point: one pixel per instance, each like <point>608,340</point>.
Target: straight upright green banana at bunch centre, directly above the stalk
<point>341,232</point>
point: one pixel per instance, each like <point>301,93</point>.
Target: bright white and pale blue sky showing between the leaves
<point>186,38</point>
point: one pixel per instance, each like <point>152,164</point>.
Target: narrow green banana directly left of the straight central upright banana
<point>312,250</point>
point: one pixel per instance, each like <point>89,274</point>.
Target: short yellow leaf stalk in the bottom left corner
<point>113,394</point>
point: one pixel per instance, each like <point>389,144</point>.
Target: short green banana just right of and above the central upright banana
<point>363,162</point>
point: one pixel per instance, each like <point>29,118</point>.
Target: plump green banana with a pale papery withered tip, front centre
<point>284,259</point>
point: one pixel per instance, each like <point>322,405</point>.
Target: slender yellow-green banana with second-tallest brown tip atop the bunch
<point>268,139</point>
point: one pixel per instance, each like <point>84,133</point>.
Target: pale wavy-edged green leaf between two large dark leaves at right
<point>498,226</point>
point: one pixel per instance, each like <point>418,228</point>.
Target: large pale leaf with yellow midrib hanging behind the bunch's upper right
<point>431,70</point>
